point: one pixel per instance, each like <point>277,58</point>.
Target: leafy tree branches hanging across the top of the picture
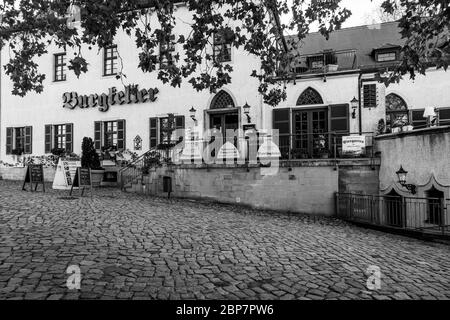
<point>254,27</point>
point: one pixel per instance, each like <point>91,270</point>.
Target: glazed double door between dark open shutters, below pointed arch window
<point>310,128</point>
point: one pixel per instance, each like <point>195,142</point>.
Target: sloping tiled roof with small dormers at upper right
<point>362,39</point>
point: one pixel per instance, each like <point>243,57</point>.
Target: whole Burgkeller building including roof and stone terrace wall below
<point>334,92</point>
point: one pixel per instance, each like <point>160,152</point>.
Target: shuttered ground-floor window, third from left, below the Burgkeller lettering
<point>109,134</point>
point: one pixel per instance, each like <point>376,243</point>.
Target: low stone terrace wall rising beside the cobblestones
<point>304,187</point>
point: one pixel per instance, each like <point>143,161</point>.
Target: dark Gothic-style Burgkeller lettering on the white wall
<point>130,95</point>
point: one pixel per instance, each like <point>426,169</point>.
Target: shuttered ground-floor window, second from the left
<point>59,136</point>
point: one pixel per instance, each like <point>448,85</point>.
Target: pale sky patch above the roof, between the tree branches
<point>362,12</point>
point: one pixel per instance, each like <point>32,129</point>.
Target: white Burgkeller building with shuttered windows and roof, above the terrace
<point>329,75</point>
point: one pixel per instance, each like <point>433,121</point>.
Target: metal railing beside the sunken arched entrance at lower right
<point>428,215</point>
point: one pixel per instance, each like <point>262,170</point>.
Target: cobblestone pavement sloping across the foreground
<point>130,246</point>
